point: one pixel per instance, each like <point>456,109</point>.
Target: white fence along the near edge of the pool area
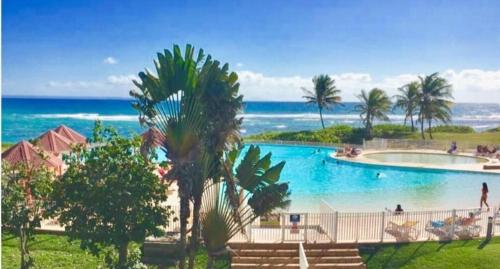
<point>374,227</point>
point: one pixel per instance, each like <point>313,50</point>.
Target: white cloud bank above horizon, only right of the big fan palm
<point>470,85</point>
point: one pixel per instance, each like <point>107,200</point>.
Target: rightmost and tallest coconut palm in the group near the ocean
<point>434,103</point>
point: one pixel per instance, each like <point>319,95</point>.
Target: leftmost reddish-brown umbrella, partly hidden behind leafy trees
<point>24,152</point>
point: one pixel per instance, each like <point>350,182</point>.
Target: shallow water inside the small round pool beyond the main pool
<point>423,158</point>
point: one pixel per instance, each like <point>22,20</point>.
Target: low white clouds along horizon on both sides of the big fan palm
<point>469,85</point>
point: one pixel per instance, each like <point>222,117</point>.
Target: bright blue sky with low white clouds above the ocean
<point>94,48</point>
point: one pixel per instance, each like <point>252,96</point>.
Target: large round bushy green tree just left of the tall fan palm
<point>110,195</point>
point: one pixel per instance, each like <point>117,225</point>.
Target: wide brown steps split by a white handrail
<point>286,255</point>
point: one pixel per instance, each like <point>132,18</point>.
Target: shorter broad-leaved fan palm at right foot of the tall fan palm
<point>248,191</point>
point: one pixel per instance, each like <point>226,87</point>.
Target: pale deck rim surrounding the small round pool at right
<point>476,167</point>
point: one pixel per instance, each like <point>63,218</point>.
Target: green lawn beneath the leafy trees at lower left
<point>48,251</point>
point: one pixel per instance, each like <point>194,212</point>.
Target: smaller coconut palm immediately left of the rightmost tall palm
<point>408,100</point>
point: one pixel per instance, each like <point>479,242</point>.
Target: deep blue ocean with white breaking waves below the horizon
<point>27,118</point>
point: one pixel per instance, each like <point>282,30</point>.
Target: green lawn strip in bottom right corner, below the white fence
<point>456,254</point>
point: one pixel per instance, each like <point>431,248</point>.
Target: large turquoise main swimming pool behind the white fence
<point>314,175</point>
